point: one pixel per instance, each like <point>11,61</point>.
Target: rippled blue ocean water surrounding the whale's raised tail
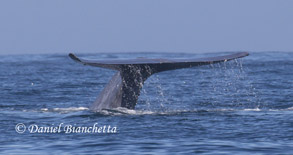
<point>242,106</point>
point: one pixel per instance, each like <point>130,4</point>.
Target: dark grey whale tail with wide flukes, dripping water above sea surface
<point>124,88</point>
